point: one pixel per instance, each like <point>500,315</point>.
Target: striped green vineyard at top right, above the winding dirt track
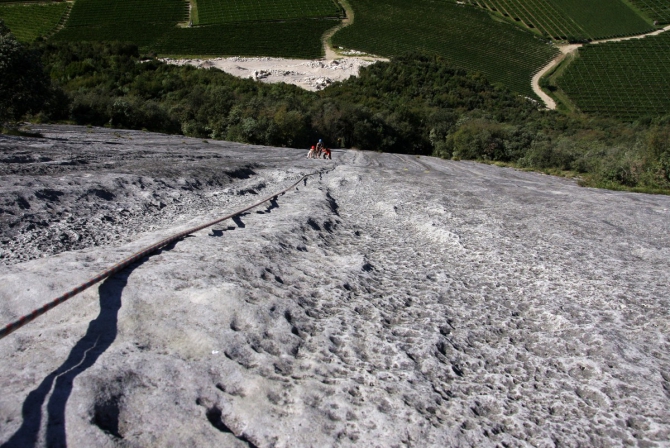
<point>572,19</point>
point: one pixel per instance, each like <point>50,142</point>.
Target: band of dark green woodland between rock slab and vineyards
<point>415,104</point>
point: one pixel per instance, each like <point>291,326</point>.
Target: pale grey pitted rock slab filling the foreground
<point>390,301</point>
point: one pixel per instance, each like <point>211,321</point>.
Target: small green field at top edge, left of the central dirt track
<point>218,12</point>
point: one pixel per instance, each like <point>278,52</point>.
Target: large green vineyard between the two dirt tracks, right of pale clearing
<point>464,36</point>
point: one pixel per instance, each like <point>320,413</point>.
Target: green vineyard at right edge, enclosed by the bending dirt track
<point>626,80</point>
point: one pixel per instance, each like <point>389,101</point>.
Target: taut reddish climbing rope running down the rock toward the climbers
<point>23,320</point>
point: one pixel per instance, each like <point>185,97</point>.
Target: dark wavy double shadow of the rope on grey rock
<point>100,334</point>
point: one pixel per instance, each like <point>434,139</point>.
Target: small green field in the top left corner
<point>27,22</point>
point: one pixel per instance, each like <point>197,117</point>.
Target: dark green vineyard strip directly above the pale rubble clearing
<point>290,39</point>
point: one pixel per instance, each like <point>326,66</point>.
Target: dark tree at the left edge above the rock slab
<point>24,87</point>
